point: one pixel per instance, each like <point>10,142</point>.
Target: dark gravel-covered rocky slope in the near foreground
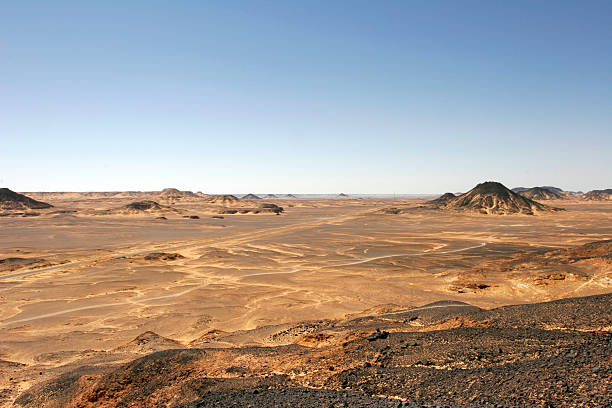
<point>444,354</point>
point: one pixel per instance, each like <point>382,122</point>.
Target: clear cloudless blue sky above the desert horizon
<point>284,96</point>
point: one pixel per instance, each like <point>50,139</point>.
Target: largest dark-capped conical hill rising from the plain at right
<point>494,198</point>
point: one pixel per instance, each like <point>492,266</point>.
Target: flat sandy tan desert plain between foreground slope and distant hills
<point>92,291</point>
